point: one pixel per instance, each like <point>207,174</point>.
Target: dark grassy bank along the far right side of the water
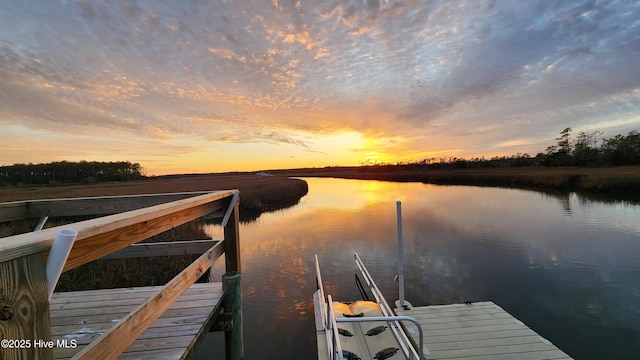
<point>607,180</point>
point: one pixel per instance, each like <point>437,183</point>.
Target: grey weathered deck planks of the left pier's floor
<point>85,315</point>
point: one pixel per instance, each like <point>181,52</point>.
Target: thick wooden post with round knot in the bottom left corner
<point>24,309</point>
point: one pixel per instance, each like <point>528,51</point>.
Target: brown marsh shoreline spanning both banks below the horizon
<point>267,193</point>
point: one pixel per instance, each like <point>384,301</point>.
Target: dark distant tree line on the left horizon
<point>66,172</point>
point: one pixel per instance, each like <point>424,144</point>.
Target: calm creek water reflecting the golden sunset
<point>567,267</point>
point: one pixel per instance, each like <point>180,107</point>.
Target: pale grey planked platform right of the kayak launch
<point>479,331</point>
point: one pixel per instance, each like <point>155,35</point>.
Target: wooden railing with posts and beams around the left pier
<point>24,306</point>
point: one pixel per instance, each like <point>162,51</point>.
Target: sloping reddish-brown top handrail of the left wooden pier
<point>104,235</point>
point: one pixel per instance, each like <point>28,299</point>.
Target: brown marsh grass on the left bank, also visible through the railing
<point>257,194</point>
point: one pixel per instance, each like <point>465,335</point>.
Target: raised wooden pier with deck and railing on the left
<point>149,322</point>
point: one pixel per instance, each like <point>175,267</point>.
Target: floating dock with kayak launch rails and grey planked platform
<point>479,331</point>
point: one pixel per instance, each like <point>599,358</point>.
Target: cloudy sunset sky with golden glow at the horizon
<point>215,86</point>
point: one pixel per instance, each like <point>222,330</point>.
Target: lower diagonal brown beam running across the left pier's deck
<point>117,339</point>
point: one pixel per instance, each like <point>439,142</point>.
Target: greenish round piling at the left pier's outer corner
<point>233,339</point>
